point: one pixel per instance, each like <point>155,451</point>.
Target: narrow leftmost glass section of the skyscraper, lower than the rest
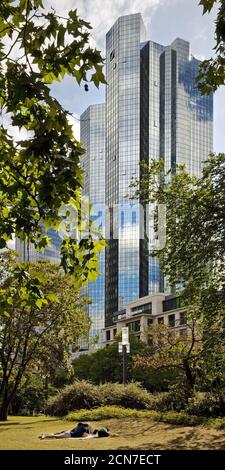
<point>92,126</point>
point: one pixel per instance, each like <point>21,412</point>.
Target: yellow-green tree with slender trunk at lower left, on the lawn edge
<point>36,335</point>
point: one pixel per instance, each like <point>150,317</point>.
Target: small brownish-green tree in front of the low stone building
<point>171,351</point>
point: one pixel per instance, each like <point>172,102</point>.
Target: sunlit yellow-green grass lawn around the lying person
<point>22,433</point>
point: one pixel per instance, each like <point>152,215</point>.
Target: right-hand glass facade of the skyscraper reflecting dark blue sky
<point>186,127</point>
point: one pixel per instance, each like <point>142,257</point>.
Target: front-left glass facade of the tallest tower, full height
<point>122,161</point>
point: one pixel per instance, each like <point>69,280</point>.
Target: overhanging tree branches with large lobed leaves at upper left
<point>41,173</point>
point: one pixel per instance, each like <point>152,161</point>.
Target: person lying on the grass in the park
<point>82,430</point>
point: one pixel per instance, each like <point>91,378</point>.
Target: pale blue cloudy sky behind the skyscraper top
<point>165,20</point>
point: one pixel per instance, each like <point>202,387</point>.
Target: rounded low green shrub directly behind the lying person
<point>77,396</point>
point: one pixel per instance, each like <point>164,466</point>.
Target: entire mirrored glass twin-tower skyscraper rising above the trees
<point>153,110</point>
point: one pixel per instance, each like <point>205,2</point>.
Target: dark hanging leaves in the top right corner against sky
<point>212,71</point>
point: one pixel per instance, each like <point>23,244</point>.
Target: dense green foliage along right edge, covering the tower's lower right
<point>193,258</point>
